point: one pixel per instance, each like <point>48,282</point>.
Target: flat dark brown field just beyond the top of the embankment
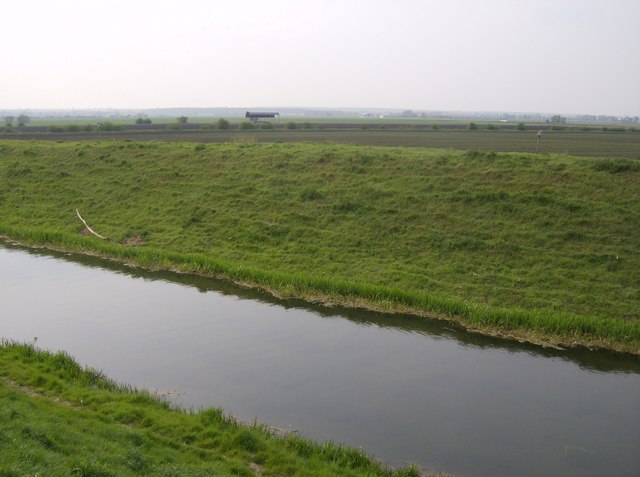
<point>592,142</point>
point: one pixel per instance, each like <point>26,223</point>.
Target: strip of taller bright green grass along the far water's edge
<point>538,327</point>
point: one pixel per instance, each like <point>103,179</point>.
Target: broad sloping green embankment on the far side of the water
<point>544,248</point>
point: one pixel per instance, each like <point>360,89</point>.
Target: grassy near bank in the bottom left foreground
<point>58,419</point>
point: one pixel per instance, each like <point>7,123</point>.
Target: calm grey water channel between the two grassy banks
<point>405,389</point>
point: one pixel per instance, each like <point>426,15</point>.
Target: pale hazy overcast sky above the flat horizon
<point>554,56</point>
